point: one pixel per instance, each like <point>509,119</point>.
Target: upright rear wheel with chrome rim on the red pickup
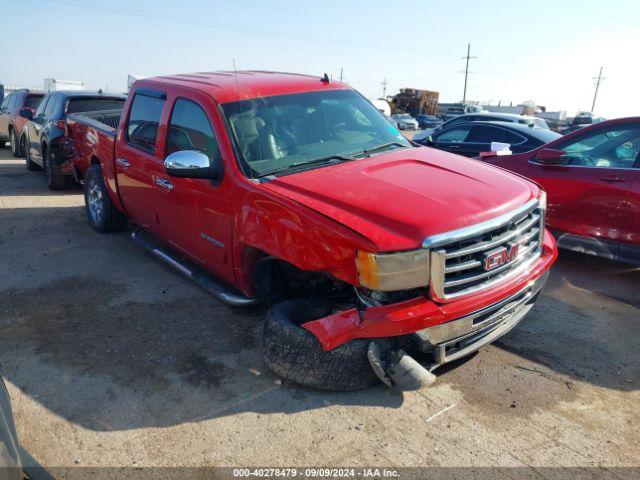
<point>102,214</point>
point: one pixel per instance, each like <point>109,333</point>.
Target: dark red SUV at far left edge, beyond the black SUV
<point>12,123</point>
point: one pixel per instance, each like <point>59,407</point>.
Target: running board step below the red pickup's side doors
<point>191,271</point>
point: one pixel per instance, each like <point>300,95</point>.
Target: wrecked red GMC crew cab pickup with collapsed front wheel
<point>295,191</point>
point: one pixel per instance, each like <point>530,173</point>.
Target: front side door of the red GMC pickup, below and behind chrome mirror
<point>194,214</point>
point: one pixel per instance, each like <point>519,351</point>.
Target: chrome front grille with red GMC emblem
<point>482,256</point>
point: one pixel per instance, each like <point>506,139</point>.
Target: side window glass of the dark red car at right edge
<point>614,148</point>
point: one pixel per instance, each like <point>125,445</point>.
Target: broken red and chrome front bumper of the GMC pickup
<point>450,330</point>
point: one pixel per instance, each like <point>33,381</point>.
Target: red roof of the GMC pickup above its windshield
<point>229,86</point>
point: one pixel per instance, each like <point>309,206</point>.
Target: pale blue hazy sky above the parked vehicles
<point>543,51</point>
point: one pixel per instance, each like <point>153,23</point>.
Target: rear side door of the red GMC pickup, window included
<point>135,155</point>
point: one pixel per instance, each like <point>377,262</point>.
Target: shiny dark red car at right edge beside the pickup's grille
<point>592,179</point>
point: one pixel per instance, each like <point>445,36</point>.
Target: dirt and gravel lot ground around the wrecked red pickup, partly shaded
<point>113,359</point>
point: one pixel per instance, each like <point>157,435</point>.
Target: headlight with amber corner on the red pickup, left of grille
<point>393,271</point>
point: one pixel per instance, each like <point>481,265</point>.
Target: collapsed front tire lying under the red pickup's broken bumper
<point>296,354</point>
